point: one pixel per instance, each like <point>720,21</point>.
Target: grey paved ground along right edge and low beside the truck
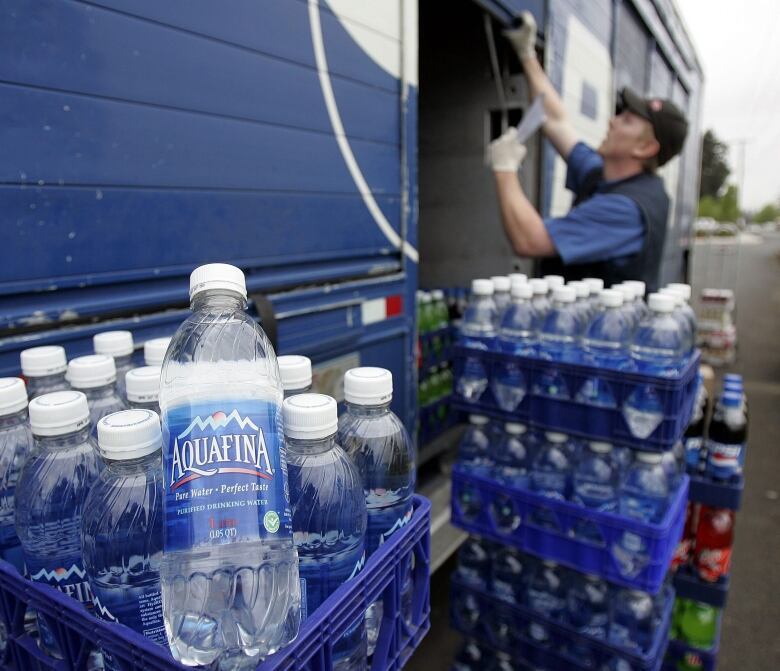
<point>751,628</point>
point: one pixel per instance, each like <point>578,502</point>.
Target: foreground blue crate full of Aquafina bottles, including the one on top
<point>213,533</point>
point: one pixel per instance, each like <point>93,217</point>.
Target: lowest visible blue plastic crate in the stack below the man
<point>503,626</point>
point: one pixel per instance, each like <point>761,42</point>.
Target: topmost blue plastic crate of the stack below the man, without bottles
<point>565,413</point>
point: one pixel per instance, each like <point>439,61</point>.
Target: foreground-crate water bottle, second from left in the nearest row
<point>50,494</point>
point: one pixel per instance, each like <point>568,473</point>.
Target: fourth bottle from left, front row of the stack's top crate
<point>605,344</point>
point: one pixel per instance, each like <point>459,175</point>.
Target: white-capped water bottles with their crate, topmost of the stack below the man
<point>580,358</point>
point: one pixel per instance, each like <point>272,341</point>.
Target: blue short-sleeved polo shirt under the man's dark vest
<point>605,226</point>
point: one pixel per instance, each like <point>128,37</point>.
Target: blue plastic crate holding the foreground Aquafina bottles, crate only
<point>78,631</point>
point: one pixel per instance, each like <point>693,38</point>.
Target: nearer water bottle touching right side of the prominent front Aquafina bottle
<point>328,513</point>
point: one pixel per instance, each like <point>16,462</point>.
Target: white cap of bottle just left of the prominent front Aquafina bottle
<point>129,434</point>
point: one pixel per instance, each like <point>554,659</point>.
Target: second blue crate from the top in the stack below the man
<point>506,514</point>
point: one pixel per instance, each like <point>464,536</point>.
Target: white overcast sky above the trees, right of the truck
<point>739,48</point>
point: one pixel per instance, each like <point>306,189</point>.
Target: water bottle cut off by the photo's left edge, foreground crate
<point>15,444</point>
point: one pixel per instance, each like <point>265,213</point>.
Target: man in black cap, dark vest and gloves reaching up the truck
<point>617,224</point>
